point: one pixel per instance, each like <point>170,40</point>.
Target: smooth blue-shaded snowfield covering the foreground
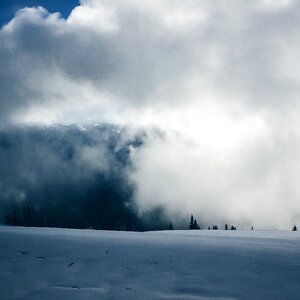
<point>72,264</point>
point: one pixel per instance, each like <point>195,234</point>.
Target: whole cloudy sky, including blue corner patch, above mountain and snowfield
<point>215,84</point>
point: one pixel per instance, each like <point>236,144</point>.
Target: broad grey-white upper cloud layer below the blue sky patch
<point>116,56</point>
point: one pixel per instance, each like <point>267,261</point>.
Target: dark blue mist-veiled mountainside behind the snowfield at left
<point>75,174</point>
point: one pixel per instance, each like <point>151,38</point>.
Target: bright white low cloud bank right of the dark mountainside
<point>253,184</point>
